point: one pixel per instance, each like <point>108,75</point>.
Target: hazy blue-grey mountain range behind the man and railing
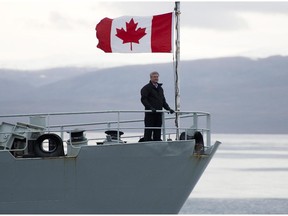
<point>243,95</point>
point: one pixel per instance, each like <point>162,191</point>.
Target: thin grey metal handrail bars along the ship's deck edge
<point>68,127</point>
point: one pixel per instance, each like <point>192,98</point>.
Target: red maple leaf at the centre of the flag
<point>131,35</point>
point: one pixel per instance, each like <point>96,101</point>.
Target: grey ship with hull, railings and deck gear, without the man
<point>95,162</point>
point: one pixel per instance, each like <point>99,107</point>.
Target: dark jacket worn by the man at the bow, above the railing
<point>152,97</point>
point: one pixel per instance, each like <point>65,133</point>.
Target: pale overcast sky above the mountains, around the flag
<point>37,34</point>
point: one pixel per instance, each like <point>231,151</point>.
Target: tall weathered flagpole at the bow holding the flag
<point>176,77</point>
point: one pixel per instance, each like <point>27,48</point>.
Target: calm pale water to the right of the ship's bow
<point>248,175</point>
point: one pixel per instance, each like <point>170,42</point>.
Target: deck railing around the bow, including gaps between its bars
<point>95,123</point>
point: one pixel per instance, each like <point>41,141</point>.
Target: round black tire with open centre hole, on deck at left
<point>55,146</point>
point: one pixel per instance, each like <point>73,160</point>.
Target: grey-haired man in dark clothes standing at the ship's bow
<point>152,97</point>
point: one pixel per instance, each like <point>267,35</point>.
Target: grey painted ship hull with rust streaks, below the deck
<point>122,178</point>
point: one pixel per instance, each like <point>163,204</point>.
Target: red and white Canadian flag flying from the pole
<point>134,34</point>
